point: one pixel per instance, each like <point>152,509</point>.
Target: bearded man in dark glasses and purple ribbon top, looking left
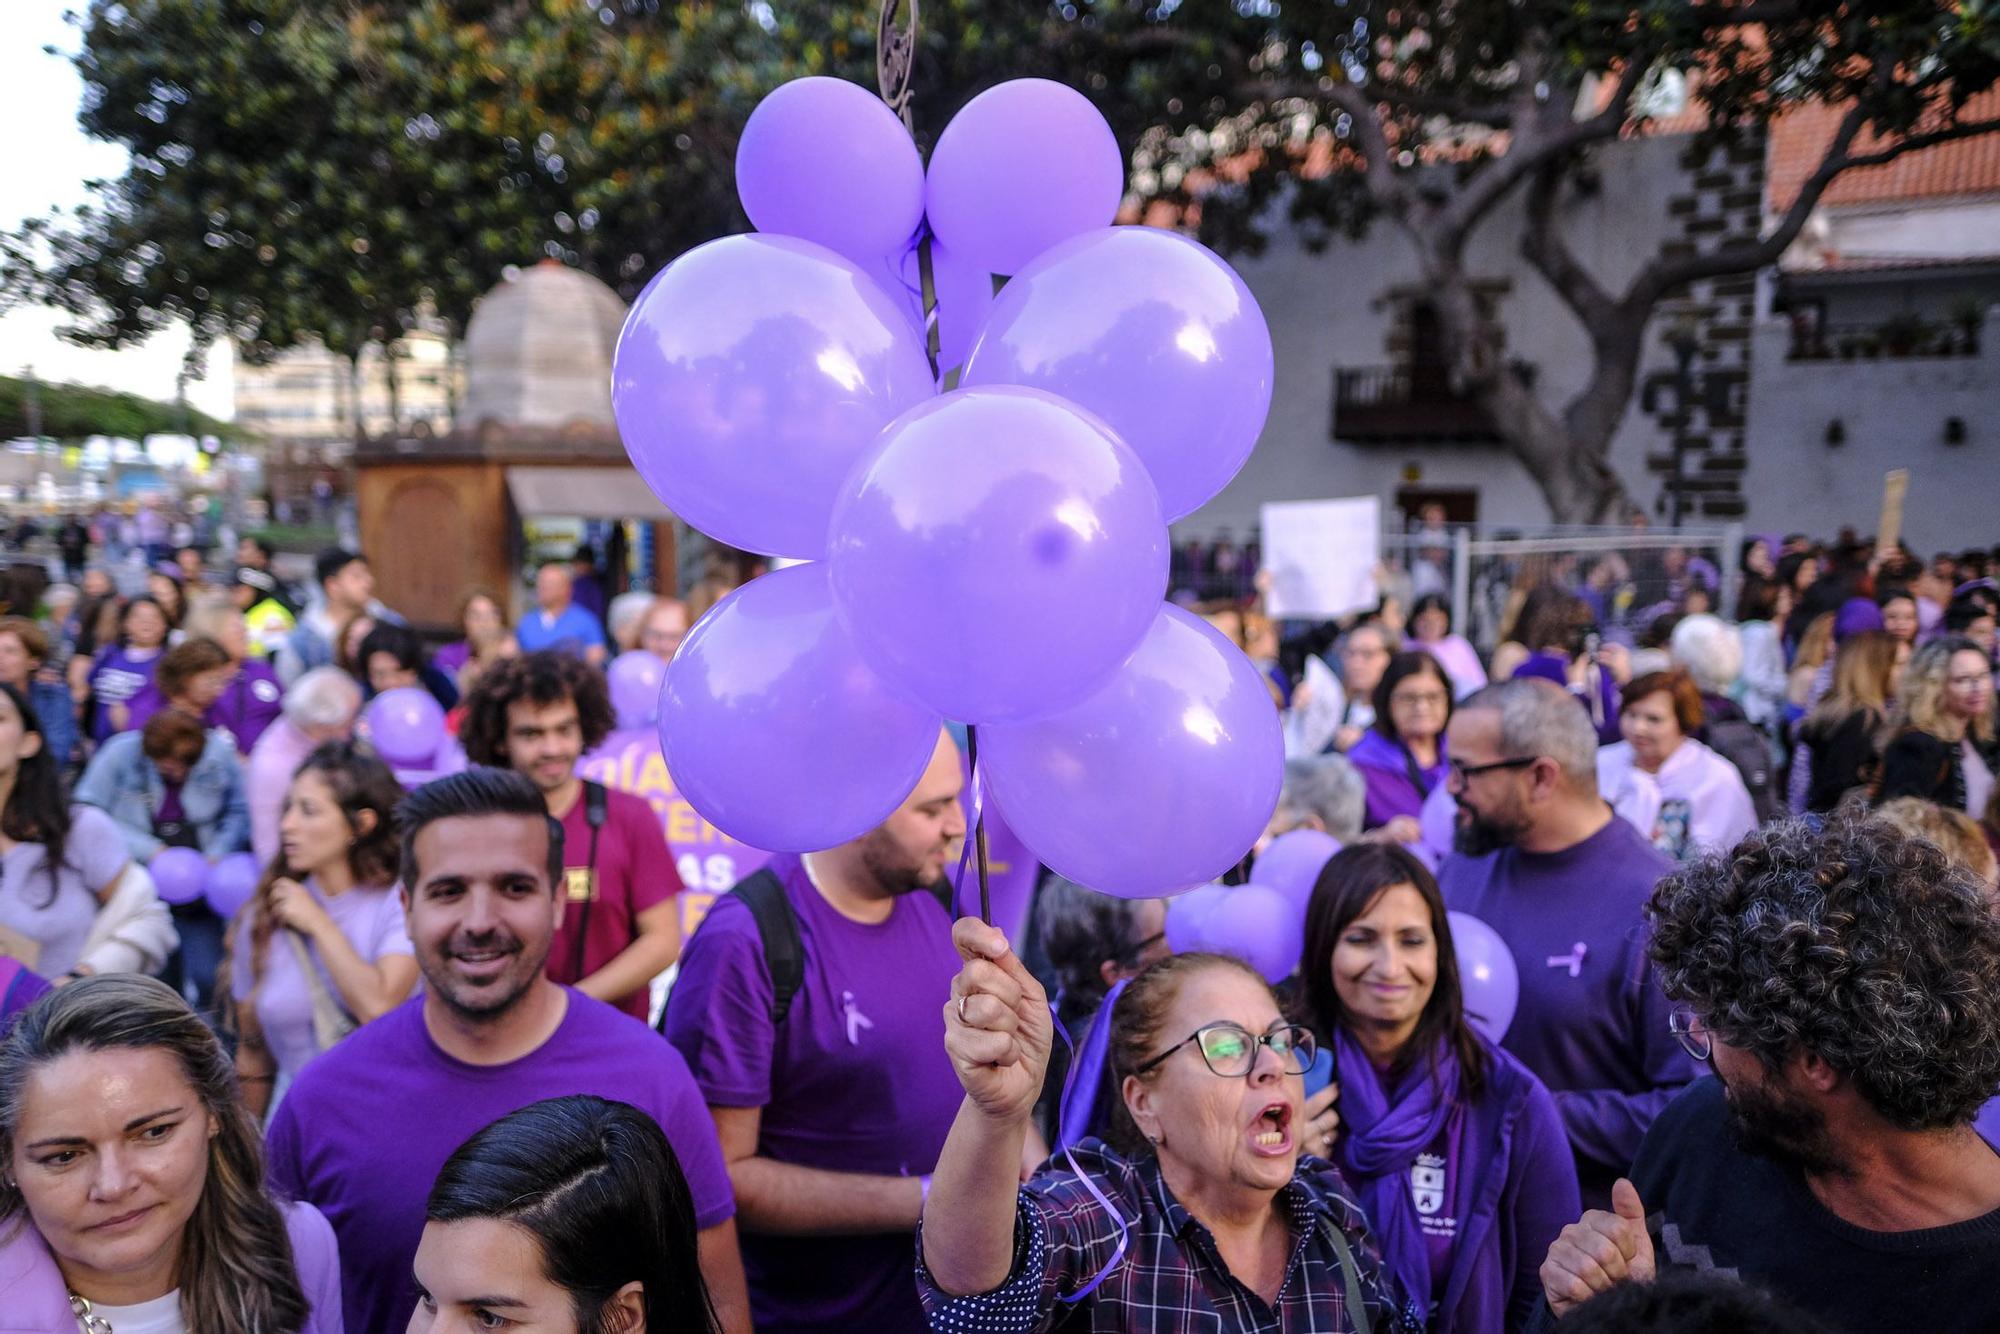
<point>1545,863</point>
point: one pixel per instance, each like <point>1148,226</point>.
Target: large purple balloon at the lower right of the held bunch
<point>1159,781</point>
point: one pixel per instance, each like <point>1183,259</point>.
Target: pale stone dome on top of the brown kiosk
<point>539,351</point>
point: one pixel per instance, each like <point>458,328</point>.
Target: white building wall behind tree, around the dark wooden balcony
<point>1327,311</point>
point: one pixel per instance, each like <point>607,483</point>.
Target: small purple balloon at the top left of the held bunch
<point>827,161</point>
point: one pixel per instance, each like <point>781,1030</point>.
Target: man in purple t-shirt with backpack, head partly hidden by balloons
<point>833,1117</point>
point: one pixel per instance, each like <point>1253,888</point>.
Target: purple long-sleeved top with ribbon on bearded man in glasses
<point>1593,1021</point>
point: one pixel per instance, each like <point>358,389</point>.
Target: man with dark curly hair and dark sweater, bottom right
<point>1845,987</point>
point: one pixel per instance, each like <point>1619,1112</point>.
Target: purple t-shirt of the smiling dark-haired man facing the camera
<point>367,1127</point>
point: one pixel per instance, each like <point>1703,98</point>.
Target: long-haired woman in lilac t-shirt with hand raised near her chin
<point>321,949</point>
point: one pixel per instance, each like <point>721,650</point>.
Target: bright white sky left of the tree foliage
<point>49,159</point>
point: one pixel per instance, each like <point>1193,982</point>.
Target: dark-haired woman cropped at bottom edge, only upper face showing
<point>569,1217</point>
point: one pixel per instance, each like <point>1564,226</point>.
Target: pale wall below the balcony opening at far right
<point>1893,415</point>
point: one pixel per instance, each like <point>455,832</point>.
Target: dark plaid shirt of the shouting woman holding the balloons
<point>1173,1277</point>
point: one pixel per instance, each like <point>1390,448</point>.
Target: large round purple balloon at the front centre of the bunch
<point>999,555</point>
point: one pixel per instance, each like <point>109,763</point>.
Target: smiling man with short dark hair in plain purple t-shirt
<point>367,1127</point>
